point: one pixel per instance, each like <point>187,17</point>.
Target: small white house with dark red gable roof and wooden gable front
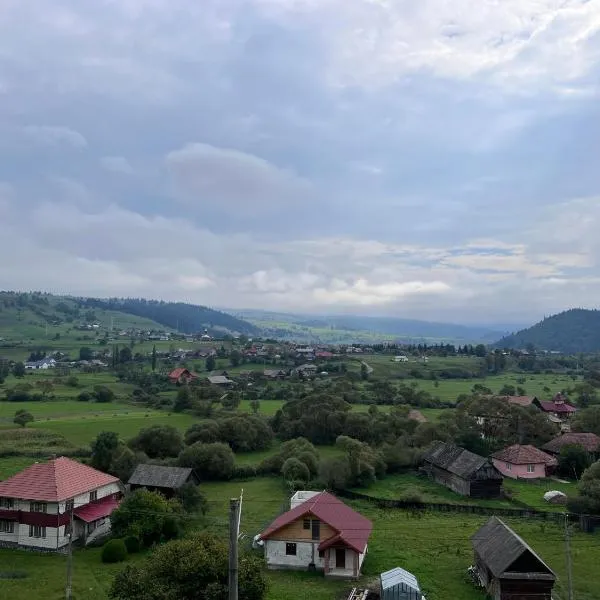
<point>318,532</point>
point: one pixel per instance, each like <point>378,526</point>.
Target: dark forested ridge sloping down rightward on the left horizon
<point>186,318</point>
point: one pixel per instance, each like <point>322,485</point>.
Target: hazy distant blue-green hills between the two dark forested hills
<point>352,328</point>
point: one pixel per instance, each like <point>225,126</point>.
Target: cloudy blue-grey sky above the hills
<point>433,160</point>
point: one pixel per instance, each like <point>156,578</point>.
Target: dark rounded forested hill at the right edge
<point>572,331</point>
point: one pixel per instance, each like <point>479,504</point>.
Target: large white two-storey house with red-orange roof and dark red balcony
<point>36,505</point>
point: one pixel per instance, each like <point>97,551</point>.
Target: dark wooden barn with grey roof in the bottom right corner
<point>507,567</point>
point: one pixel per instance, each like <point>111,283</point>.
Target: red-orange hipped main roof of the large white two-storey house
<point>56,480</point>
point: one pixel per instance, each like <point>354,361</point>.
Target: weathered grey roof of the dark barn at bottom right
<point>499,547</point>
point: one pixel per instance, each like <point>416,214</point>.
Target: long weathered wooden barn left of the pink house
<point>462,471</point>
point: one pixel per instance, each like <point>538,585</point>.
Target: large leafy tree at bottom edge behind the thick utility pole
<point>195,568</point>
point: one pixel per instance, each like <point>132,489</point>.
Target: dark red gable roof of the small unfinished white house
<point>352,528</point>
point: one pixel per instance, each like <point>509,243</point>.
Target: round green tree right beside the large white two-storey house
<point>145,515</point>
